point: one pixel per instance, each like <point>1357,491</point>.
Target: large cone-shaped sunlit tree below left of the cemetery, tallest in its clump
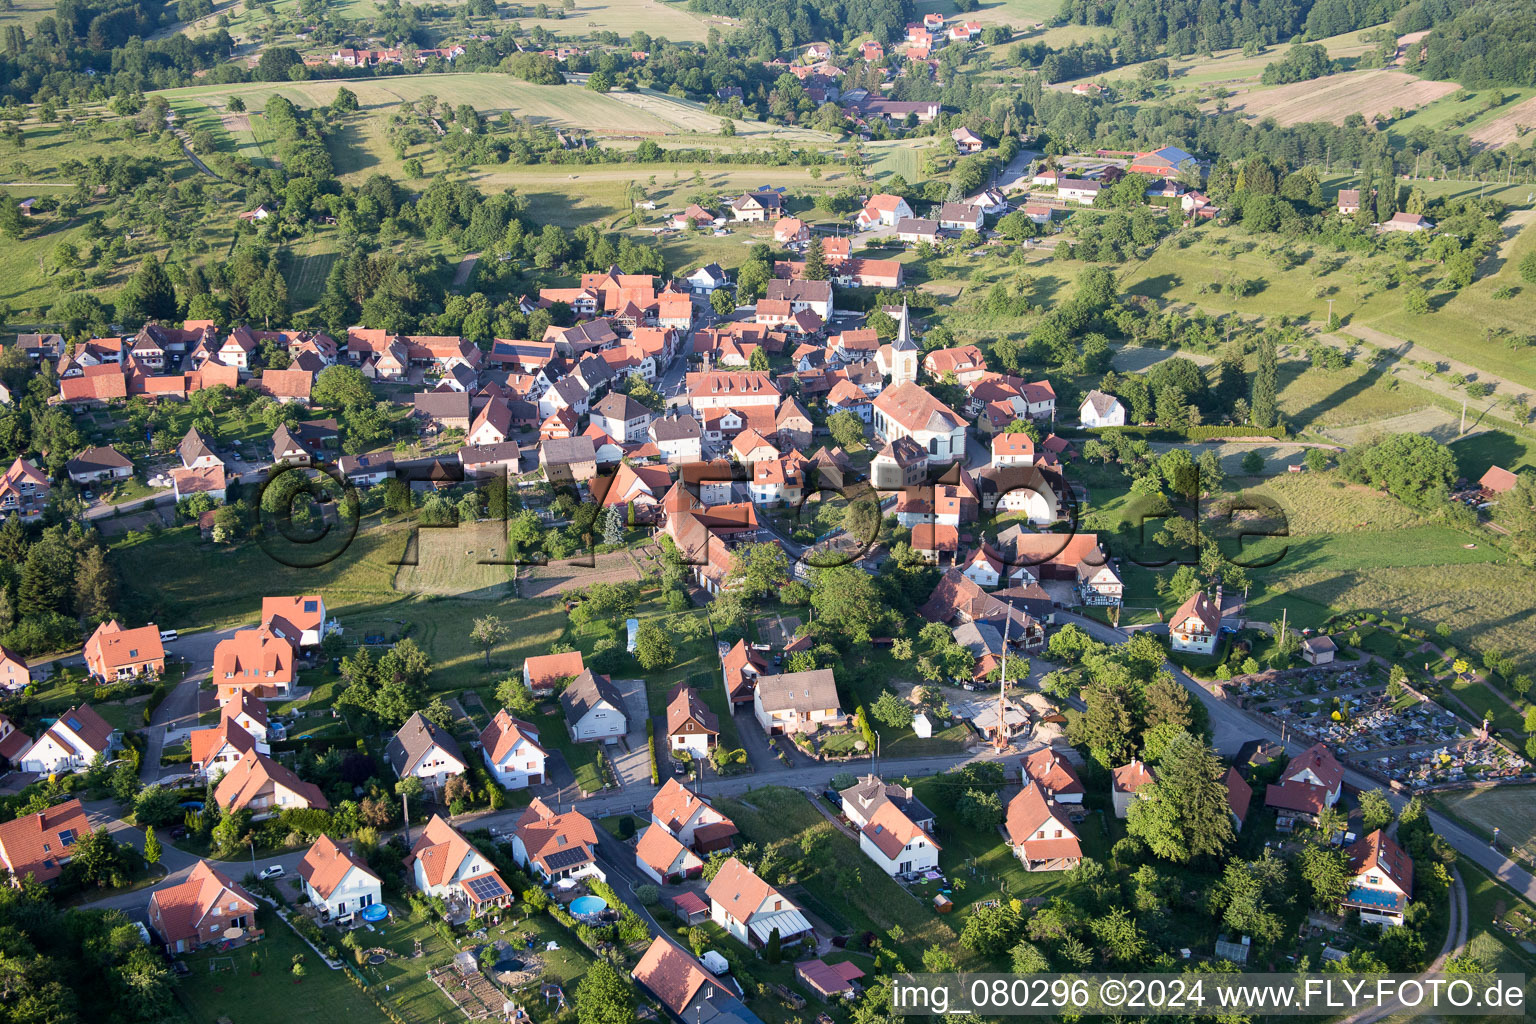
<point>1183,813</point>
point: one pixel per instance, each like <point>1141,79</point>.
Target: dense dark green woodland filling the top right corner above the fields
<point>1492,42</point>
